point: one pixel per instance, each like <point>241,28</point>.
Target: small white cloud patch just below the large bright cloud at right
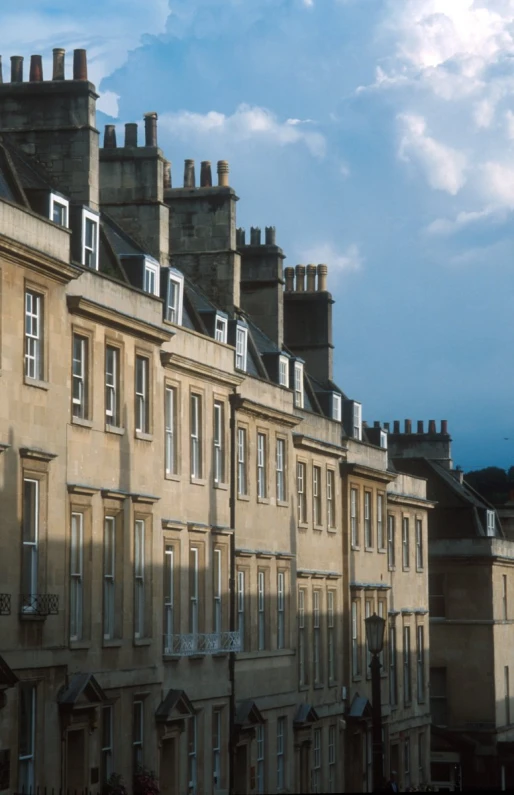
<point>444,167</point>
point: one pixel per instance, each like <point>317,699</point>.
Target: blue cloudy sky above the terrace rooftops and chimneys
<point>377,136</point>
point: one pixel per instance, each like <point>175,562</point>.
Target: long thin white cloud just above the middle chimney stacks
<point>247,122</point>
